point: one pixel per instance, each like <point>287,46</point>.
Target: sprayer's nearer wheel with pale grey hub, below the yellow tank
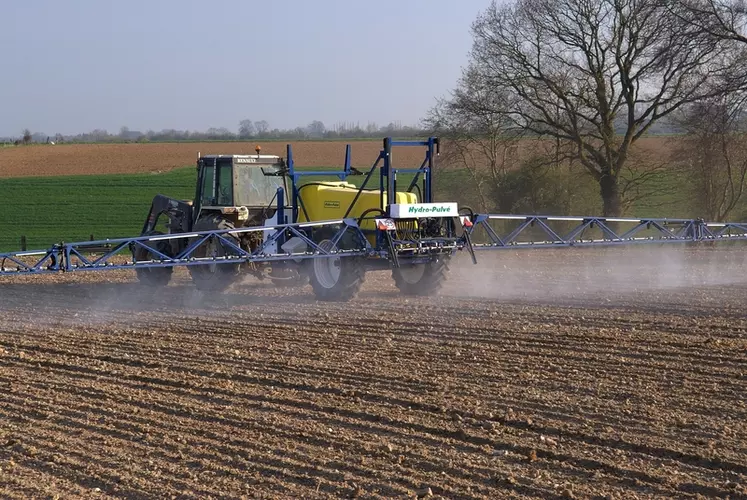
<point>335,278</point>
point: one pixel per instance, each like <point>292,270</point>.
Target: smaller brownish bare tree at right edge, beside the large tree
<point>714,154</point>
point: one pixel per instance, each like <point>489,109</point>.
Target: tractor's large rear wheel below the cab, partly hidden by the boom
<point>213,277</point>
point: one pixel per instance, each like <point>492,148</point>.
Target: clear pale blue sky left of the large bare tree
<point>70,67</point>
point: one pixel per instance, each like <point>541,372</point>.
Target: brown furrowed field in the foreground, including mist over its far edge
<point>581,375</point>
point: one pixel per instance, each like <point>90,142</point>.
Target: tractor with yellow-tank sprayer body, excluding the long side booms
<point>412,237</point>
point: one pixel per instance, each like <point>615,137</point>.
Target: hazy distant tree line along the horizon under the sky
<point>247,130</point>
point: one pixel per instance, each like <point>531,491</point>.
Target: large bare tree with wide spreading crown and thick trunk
<point>595,75</point>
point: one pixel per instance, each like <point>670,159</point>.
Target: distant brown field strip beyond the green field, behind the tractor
<point>72,159</point>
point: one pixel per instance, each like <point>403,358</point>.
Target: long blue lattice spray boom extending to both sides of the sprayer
<point>69,257</point>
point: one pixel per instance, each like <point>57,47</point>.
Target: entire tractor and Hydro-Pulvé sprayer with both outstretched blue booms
<point>259,214</point>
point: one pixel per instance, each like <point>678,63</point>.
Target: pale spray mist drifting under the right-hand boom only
<point>562,274</point>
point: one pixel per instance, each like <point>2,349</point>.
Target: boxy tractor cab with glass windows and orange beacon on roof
<point>238,185</point>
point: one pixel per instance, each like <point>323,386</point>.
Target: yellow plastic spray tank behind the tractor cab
<point>330,200</point>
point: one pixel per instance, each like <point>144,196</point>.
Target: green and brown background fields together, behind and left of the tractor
<point>71,191</point>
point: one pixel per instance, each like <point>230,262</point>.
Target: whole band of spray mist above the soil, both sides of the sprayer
<point>563,276</point>
